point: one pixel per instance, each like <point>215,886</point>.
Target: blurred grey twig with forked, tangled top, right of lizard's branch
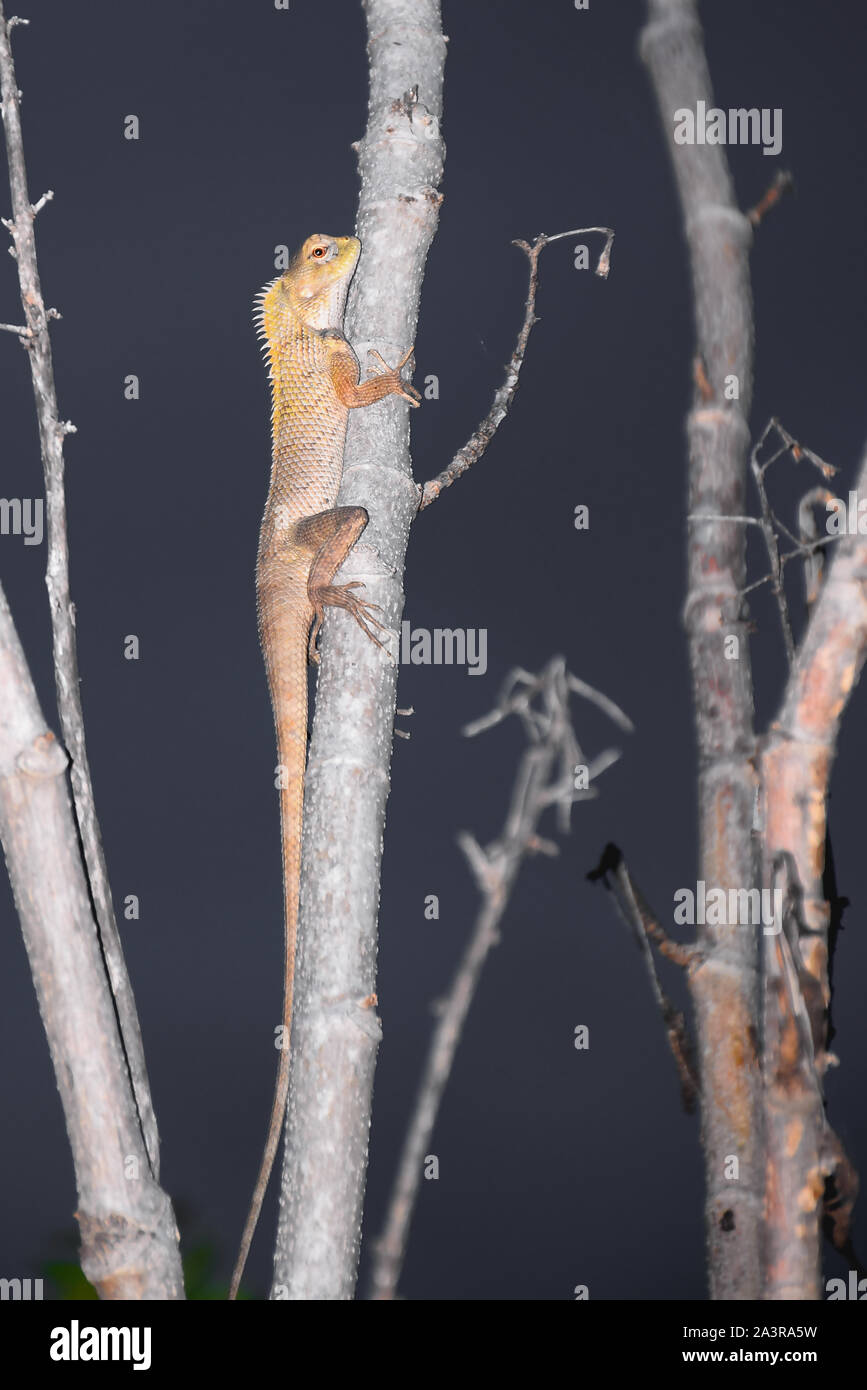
<point>543,705</point>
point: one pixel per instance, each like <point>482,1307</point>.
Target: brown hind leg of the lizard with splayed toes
<point>331,536</point>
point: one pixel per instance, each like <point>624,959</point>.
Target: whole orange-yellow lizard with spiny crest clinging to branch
<point>304,541</point>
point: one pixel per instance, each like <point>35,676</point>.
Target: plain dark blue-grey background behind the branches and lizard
<point>556,1168</point>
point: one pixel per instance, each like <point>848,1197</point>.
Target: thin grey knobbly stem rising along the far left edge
<point>52,433</point>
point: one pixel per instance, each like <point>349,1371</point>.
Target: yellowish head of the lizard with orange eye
<point>313,290</point>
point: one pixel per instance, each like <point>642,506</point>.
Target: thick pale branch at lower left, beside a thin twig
<point>130,1241</point>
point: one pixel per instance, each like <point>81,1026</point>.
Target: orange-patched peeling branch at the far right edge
<point>795,769</point>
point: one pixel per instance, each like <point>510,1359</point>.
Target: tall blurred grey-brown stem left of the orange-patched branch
<point>725,988</point>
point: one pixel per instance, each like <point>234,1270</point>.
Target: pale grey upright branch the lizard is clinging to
<point>336,1028</point>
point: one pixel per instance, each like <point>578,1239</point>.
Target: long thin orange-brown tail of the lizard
<point>286,651</point>
